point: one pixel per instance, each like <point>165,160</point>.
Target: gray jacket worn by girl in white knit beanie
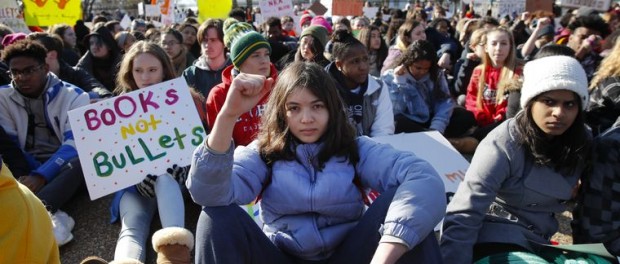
<point>504,198</point>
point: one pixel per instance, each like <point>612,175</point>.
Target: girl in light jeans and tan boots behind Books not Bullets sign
<point>146,64</point>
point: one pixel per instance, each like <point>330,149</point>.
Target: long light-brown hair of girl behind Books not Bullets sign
<point>125,81</point>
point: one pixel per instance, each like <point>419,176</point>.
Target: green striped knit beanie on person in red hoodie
<point>241,39</point>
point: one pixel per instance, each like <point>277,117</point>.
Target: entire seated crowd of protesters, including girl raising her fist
<point>290,118</point>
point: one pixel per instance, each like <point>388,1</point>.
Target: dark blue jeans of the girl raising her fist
<point>227,234</point>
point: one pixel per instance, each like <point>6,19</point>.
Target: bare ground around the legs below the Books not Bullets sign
<point>95,236</point>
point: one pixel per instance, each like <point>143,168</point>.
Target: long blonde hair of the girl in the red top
<point>507,72</point>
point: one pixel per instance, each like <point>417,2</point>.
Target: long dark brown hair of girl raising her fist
<point>276,142</point>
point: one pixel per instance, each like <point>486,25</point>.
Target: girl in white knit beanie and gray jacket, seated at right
<point>523,172</point>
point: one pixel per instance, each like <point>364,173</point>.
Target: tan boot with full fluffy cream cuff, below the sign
<point>173,245</point>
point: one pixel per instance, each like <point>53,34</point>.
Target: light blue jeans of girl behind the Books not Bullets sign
<point>136,214</point>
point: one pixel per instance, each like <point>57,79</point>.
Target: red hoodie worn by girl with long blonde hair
<point>491,112</point>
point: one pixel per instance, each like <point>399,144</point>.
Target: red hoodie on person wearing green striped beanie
<point>247,125</point>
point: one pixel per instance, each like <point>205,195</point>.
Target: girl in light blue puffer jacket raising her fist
<point>309,168</point>
